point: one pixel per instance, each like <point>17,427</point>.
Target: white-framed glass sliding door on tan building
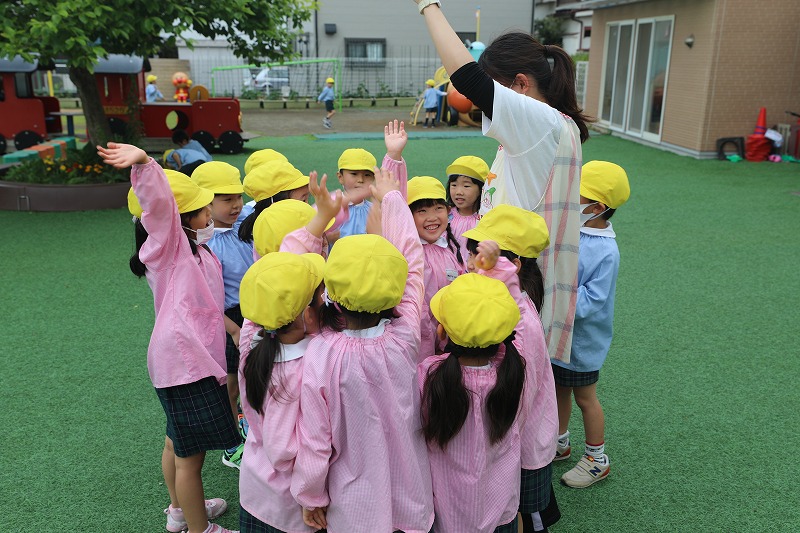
<point>635,76</point>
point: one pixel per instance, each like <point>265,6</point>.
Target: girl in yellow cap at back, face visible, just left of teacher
<point>465,179</point>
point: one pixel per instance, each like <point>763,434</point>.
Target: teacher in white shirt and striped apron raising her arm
<point>526,92</point>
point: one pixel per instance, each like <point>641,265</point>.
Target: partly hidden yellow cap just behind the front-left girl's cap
<point>279,220</point>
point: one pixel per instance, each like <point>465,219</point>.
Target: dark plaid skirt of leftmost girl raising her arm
<point>199,417</point>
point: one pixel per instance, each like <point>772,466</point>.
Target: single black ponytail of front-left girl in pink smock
<point>259,367</point>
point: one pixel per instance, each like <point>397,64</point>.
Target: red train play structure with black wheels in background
<point>28,119</point>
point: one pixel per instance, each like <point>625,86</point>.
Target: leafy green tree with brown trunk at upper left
<point>81,31</point>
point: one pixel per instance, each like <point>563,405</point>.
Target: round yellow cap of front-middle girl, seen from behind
<point>366,273</point>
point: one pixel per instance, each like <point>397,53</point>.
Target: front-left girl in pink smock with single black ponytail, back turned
<point>281,294</point>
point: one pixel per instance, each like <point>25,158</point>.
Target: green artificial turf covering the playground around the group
<point>699,390</point>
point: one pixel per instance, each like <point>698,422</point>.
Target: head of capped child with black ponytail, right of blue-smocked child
<point>268,183</point>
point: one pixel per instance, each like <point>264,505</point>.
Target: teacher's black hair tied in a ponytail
<point>518,52</point>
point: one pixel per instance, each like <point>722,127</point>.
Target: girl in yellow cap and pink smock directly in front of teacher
<point>521,236</point>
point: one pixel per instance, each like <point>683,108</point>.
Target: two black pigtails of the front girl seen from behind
<point>446,402</point>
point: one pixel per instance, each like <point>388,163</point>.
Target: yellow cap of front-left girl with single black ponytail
<point>278,287</point>
